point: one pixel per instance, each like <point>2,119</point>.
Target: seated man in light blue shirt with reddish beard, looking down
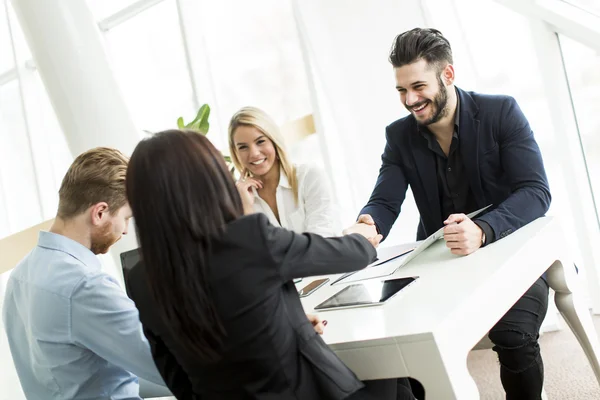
<point>72,331</point>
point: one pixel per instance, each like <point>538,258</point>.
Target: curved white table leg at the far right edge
<point>563,281</point>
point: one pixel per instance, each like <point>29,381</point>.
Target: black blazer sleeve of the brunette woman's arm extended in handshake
<point>307,254</point>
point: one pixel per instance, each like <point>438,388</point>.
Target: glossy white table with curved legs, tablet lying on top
<point>427,331</point>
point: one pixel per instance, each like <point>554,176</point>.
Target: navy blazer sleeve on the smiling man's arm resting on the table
<point>522,163</point>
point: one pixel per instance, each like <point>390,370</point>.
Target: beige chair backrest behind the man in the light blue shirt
<point>16,246</point>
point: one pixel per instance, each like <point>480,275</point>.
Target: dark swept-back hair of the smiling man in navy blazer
<point>418,43</point>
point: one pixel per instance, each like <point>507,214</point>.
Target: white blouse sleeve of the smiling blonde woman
<point>320,216</point>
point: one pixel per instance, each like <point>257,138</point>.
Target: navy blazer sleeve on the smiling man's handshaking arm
<point>390,190</point>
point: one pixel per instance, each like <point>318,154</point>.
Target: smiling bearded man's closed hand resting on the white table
<point>462,235</point>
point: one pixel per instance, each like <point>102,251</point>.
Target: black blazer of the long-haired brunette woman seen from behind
<point>271,349</point>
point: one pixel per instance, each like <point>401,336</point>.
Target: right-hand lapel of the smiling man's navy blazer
<point>469,145</point>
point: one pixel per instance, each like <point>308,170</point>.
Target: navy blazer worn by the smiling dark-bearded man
<point>502,162</point>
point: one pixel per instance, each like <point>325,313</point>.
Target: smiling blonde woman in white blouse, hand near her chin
<point>295,197</point>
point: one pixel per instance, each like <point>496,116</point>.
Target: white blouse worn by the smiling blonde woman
<point>315,209</point>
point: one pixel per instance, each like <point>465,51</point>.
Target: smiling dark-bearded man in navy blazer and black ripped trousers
<point>460,151</point>
